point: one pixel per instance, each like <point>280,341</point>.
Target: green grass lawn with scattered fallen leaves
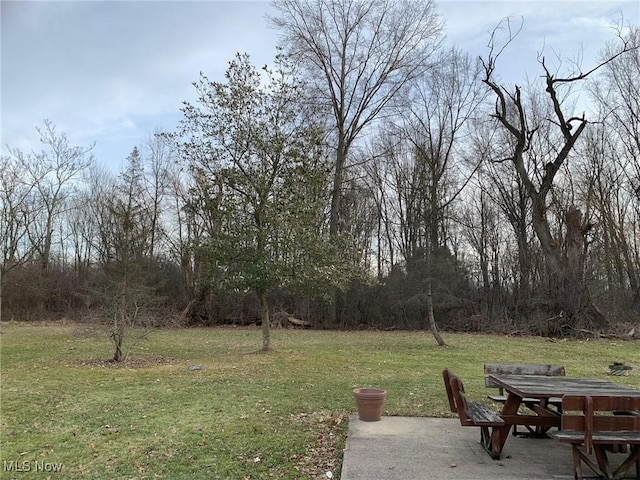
<point>245,414</point>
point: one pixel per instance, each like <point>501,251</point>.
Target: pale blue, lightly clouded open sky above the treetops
<point>112,72</point>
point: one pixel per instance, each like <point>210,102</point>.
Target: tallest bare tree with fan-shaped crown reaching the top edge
<point>359,54</point>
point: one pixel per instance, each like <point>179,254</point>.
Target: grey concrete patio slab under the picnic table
<point>410,448</point>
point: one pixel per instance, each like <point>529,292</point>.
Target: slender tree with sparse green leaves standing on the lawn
<point>261,177</point>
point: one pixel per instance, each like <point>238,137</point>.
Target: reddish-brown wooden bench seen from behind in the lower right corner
<point>597,424</point>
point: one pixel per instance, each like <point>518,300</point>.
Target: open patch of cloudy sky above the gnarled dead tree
<point>567,30</point>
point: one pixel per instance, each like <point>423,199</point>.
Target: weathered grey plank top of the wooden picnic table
<point>557,386</point>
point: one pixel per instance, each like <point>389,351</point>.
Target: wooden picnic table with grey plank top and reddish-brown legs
<point>519,387</point>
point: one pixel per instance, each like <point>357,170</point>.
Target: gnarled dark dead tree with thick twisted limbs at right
<point>564,257</point>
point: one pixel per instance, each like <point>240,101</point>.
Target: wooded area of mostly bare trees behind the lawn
<point>373,177</point>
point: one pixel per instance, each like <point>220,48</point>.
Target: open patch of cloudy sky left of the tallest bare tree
<point>100,69</point>
